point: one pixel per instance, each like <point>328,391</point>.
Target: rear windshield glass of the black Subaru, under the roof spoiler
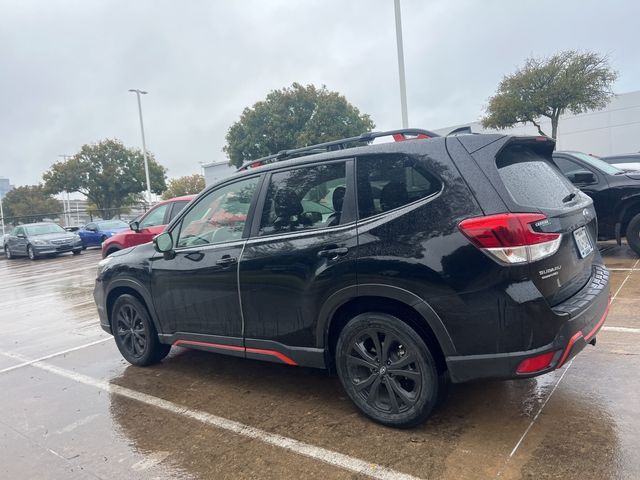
<point>531,179</point>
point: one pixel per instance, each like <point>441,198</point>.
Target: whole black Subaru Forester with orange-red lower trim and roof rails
<point>400,265</point>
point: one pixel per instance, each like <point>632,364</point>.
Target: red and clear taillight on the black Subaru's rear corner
<point>509,237</point>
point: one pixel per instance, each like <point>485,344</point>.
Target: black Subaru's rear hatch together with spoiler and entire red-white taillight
<point>548,224</point>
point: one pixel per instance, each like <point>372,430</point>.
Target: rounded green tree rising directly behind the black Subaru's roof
<point>290,118</point>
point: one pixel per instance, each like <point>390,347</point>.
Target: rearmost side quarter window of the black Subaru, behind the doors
<point>386,182</point>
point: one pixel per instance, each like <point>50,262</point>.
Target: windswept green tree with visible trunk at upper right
<point>567,81</point>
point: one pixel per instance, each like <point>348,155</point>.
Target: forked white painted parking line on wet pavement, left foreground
<point>330,457</point>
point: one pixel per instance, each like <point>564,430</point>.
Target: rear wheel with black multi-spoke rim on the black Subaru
<point>400,397</point>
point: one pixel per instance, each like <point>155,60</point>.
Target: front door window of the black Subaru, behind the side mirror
<point>219,216</point>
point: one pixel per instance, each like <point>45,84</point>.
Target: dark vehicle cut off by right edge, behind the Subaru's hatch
<point>615,193</point>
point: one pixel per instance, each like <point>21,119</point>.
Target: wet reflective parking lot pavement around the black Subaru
<point>72,408</point>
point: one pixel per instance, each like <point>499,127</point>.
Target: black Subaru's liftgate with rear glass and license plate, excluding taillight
<point>534,184</point>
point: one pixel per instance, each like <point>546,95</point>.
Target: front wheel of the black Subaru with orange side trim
<point>134,332</point>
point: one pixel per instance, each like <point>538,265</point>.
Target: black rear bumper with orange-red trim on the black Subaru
<point>583,314</point>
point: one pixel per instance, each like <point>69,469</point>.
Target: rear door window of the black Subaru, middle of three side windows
<point>304,198</point>
